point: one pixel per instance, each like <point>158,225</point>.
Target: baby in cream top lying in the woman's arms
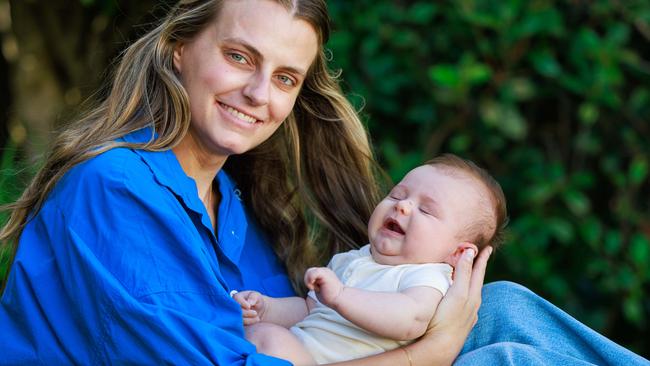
<point>383,295</point>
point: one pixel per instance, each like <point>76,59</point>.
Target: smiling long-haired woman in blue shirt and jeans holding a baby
<point>223,136</point>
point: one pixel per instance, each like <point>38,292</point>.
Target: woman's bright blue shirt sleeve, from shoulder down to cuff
<point>113,270</point>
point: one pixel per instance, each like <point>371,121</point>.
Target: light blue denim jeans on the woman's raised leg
<point>517,327</point>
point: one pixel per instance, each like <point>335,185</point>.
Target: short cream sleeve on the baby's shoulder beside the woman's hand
<point>436,275</point>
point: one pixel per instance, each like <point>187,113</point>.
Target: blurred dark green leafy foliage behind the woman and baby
<point>552,97</point>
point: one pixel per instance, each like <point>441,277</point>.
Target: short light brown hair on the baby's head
<point>489,224</point>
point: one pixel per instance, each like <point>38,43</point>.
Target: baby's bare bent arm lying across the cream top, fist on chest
<point>397,315</point>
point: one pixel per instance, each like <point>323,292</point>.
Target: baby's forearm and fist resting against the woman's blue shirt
<point>283,311</point>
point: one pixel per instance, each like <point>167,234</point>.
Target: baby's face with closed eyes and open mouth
<point>424,217</point>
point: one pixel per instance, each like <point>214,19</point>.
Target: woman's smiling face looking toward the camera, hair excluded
<point>243,74</point>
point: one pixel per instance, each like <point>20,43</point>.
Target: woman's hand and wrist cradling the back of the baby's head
<point>456,314</point>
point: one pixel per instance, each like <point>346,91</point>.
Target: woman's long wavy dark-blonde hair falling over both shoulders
<point>310,182</point>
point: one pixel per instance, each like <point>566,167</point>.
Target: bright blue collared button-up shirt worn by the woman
<point>121,265</point>
